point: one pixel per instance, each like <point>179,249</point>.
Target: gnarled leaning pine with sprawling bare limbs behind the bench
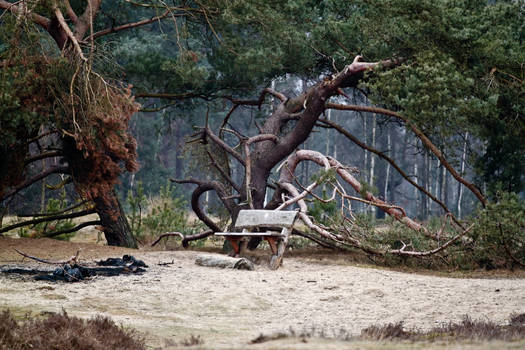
<point>278,140</point>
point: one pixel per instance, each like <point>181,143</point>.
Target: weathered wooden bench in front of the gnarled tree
<point>251,220</point>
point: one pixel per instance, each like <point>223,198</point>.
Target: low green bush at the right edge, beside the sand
<point>499,234</point>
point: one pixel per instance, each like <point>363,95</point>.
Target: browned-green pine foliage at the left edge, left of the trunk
<point>25,96</point>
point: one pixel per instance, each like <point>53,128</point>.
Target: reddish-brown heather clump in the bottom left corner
<point>62,332</point>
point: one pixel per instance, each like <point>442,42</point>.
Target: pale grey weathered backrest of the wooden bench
<point>266,218</point>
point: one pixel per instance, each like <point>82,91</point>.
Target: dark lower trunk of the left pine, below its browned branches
<point>116,227</point>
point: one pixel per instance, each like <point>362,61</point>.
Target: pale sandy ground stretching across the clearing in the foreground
<point>228,308</point>
